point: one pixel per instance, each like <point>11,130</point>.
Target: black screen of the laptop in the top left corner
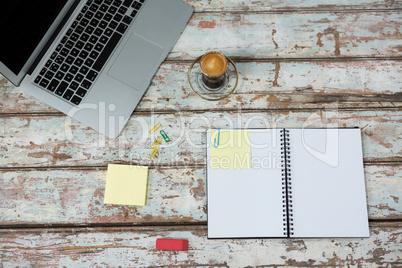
<point>23,24</point>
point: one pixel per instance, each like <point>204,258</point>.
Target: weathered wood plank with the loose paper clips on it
<point>60,141</point>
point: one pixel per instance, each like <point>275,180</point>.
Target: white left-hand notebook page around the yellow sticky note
<point>247,202</point>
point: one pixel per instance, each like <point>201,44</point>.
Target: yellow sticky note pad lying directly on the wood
<point>126,185</point>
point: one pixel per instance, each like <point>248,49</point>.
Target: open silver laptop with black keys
<point>92,60</point>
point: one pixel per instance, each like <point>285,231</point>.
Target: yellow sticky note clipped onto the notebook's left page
<point>234,149</point>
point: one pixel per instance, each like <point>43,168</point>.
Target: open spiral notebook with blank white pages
<point>286,183</point>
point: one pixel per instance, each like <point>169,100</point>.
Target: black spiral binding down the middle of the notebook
<point>286,184</point>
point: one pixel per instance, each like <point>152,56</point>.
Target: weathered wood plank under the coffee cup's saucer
<point>263,85</point>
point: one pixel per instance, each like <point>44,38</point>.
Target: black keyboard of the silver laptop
<point>79,57</point>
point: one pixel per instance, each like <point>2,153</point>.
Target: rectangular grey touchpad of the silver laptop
<point>136,62</point>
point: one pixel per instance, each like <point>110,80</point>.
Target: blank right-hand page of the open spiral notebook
<point>328,192</point>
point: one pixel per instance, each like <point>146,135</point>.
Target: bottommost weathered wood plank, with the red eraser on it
<point>135,247</point>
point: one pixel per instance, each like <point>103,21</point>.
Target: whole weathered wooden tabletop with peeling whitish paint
<point>302,63</point>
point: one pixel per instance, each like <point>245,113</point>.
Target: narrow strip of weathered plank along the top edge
<point>289,5</point>
